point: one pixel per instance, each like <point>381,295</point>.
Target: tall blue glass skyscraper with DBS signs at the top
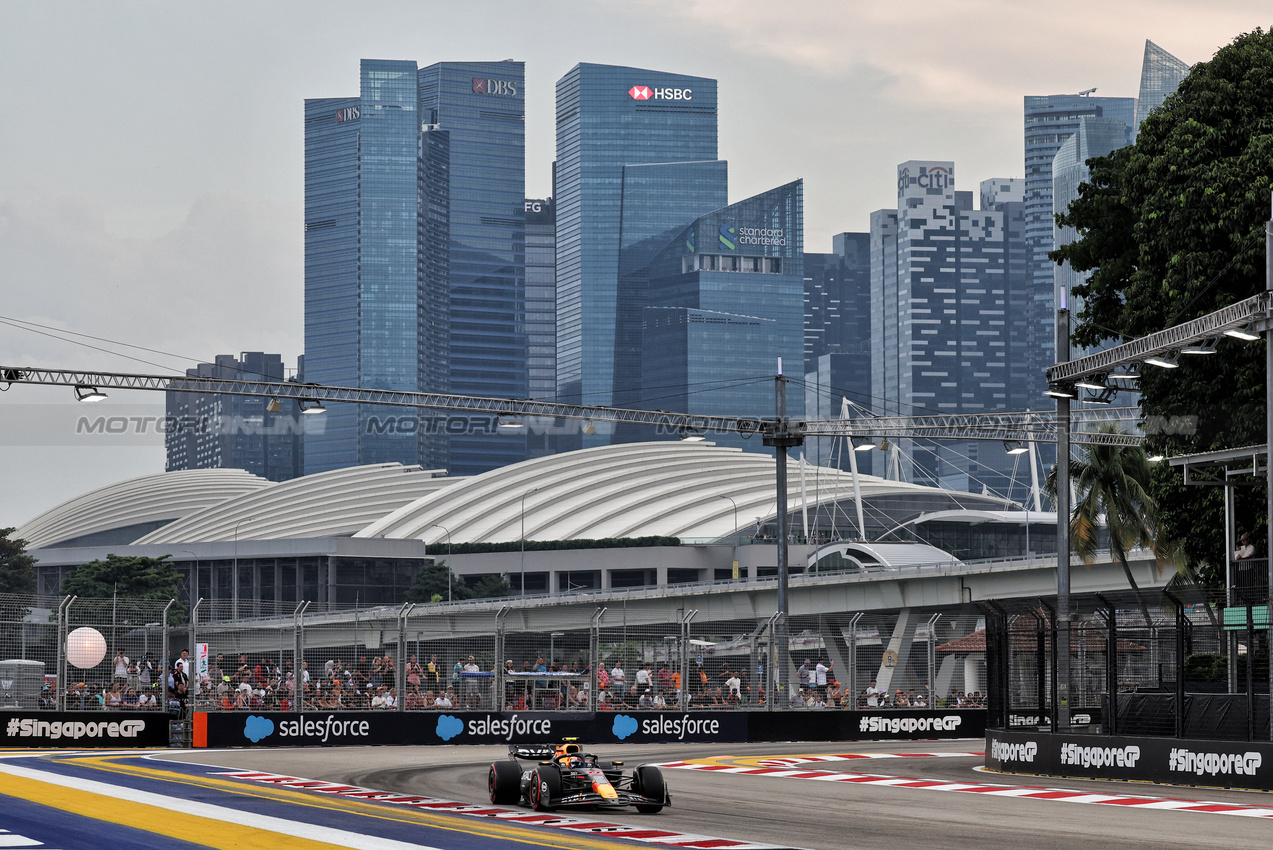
<point>416,253</point>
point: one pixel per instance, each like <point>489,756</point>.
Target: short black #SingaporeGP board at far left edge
<point>85,730</point>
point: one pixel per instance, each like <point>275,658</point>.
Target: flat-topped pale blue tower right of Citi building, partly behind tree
<point>1050,122</point>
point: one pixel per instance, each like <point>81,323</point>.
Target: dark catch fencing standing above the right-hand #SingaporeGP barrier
<point>1150,665</point>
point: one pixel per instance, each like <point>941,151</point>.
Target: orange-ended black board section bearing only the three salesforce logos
<point>416,728</point>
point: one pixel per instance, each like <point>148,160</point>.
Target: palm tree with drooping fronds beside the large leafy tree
<point>1112,483</point>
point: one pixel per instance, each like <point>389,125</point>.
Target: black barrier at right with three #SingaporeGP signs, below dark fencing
<point>1176,762</point>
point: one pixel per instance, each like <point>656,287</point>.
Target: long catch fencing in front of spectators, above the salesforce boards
<point>521,656</point>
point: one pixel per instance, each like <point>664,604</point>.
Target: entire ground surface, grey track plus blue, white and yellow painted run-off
<point>745,797</point>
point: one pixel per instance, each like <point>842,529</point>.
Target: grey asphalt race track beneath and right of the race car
<point>818,814</point>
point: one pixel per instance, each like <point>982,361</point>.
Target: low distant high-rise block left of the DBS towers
<point>216,432</point>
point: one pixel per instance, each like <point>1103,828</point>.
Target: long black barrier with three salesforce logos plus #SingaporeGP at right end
<point>391,728</point>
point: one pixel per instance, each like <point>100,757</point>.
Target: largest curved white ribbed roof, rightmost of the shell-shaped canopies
<point>672,489</point>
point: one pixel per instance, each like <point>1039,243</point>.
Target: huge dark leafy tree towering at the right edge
<point>1172,228</point>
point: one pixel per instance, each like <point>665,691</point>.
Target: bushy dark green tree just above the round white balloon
<point>127,589</point>
